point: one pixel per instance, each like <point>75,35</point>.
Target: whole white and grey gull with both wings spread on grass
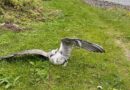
<point>61,55</point>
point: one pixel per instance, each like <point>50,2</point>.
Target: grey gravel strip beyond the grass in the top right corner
<point>106,4</point>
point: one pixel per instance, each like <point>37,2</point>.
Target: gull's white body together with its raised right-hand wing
<point>61,55</point>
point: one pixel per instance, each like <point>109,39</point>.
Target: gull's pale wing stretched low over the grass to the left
<point>27,52</point>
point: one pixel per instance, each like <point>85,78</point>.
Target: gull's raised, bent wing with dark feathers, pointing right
<point>67,44</point>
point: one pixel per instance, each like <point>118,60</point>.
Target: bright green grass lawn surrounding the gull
<point>85,70</point>
